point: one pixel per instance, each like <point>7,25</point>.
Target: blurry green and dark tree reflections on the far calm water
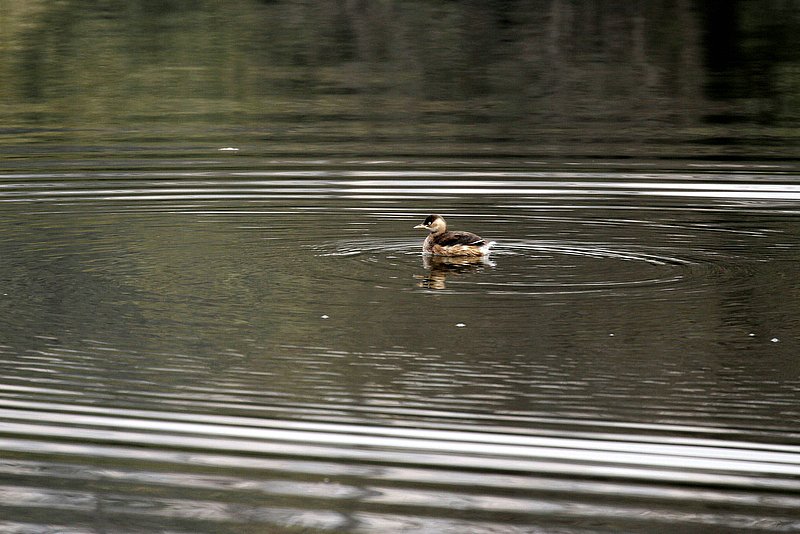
<point>545,71</point>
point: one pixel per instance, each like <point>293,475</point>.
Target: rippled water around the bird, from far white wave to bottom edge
<point>265,348</point>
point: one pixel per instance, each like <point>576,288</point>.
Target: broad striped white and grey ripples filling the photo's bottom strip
<point>193,465</point>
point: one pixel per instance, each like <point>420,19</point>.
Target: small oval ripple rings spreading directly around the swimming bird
<point>544,266</point>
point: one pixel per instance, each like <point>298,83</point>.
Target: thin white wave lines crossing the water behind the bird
<point>357,183</point>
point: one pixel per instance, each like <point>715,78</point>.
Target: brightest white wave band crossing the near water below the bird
<point>506,450</point>
